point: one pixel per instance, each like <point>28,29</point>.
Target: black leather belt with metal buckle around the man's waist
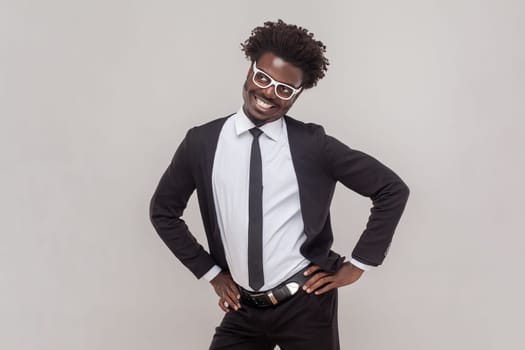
<point>276,295</point>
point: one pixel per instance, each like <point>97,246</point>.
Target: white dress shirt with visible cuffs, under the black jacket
<point>283,227</point>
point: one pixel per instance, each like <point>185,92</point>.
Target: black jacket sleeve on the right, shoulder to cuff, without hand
<point>369,177</point>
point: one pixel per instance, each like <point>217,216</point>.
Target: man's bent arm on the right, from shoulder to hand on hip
<point>368,177</point>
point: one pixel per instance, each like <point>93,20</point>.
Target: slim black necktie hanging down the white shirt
<point>255,269</point>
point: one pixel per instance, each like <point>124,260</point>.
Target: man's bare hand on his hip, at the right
<point>321,282</point>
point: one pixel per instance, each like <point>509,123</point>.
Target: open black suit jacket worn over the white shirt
<point>319,161</point>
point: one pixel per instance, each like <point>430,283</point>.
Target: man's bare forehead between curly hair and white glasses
<point>280,70</point>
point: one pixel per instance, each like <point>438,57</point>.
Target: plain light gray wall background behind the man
<point>96,95</point>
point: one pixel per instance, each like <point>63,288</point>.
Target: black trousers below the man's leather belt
<point>303,322</point>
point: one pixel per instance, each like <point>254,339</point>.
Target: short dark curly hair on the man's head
<point>294,44</point>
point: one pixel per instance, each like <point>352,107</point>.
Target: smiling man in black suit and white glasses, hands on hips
<point>264,183</point>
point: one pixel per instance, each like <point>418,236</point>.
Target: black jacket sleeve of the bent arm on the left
<point>167,206</point>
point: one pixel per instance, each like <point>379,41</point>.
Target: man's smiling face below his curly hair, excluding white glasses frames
<point>262,105</point>
